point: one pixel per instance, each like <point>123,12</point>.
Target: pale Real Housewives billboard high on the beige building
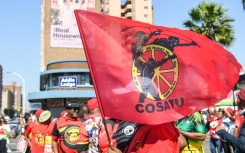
<point>63,30</point>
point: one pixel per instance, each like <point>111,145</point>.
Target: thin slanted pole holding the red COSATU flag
<point>92,76</point>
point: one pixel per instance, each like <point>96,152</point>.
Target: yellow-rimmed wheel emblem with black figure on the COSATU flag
<point>155,72</point>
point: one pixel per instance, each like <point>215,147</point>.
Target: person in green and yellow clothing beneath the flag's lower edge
<point>193,129</point>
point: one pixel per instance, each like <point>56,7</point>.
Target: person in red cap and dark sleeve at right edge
<point>238,142</point>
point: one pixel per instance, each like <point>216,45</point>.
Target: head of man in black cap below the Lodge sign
<point>72,108</point>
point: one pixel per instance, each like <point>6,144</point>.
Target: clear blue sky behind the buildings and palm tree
<point>20,40</point>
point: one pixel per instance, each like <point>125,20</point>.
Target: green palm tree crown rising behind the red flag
<point>210,20</point>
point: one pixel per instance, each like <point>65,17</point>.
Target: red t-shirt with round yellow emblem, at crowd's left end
<point>38,132</point>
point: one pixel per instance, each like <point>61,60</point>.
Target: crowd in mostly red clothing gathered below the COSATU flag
<point>82,129</point>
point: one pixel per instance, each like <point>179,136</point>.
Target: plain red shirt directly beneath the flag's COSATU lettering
<point>155,138</point>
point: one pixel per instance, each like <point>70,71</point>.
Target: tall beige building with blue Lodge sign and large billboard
<point>64,69</point>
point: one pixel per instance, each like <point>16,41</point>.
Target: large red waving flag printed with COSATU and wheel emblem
<point>153,74</point>
